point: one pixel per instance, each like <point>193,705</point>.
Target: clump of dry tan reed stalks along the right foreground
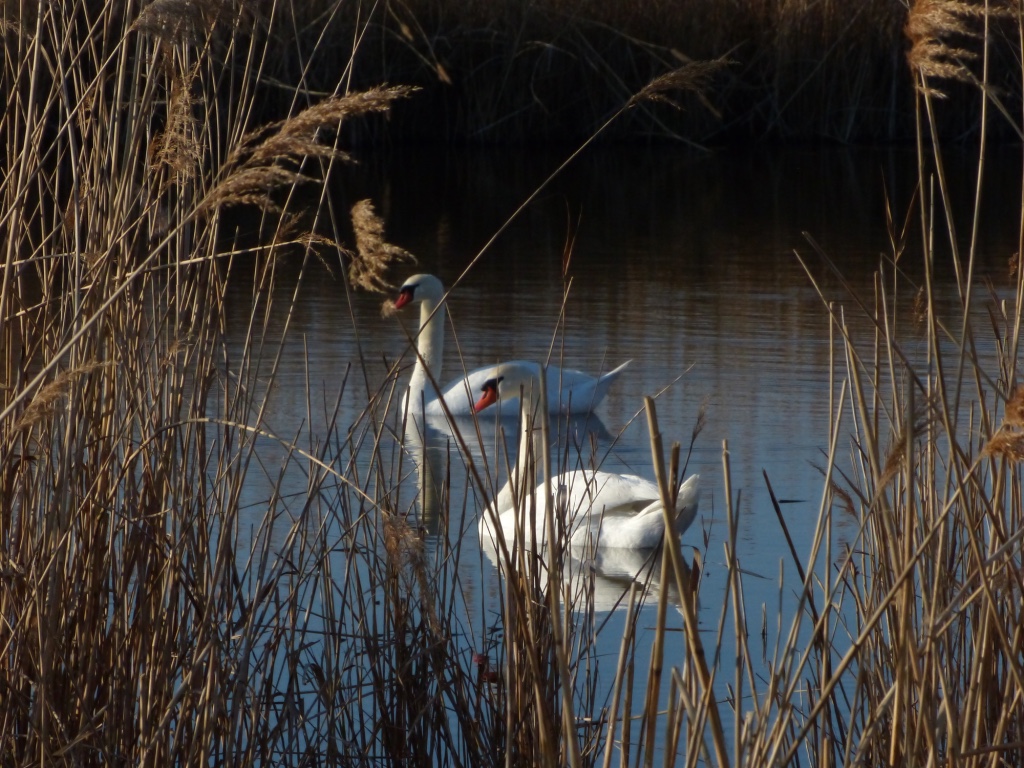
<point>916,559</point>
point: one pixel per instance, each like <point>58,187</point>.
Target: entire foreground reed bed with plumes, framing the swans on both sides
<point>173,594</point>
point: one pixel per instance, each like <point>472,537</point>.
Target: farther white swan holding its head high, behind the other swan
<point>569,392</point>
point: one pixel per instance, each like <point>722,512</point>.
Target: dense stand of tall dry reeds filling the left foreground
<point>160,630</point>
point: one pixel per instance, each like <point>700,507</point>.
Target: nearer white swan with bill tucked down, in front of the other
<point>603,509</point>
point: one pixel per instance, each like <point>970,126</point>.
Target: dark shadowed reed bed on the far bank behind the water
<point>553,71</point>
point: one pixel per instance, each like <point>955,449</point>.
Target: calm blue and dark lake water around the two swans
<point>682,264</point>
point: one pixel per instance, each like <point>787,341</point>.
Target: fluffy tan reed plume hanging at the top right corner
<point>929,25</point>
